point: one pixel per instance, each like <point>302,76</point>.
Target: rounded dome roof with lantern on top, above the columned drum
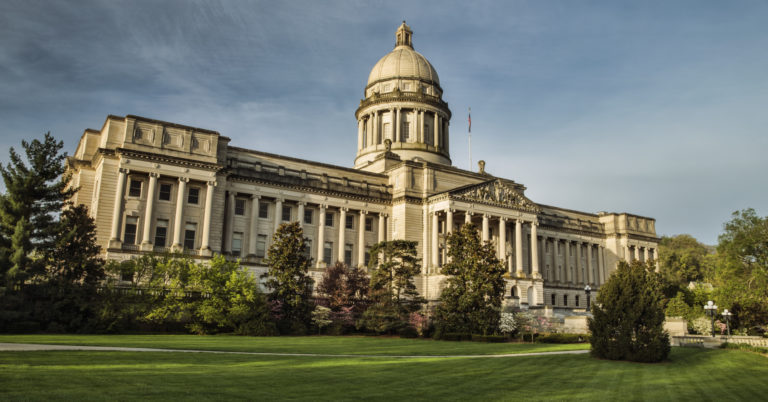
<point>403,62</point>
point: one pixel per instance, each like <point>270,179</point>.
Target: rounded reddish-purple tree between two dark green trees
<point>345,292</point>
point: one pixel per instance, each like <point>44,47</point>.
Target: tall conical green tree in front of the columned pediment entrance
<point>471,301</point>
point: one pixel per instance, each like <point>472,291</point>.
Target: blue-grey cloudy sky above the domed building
<point>658,108</point>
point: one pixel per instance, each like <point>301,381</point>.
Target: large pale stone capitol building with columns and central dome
<point>154,187</point>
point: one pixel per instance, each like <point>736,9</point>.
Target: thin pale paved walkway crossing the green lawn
<point>32,347</point>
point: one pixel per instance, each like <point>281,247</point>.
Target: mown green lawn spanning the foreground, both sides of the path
<point>690,374</point>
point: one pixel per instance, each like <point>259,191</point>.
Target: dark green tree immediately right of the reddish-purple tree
<point>392,266</point>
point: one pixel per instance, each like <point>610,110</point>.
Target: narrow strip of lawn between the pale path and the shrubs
<point>306,344</point>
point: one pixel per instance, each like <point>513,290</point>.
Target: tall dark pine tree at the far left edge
<point>36,192</point>
